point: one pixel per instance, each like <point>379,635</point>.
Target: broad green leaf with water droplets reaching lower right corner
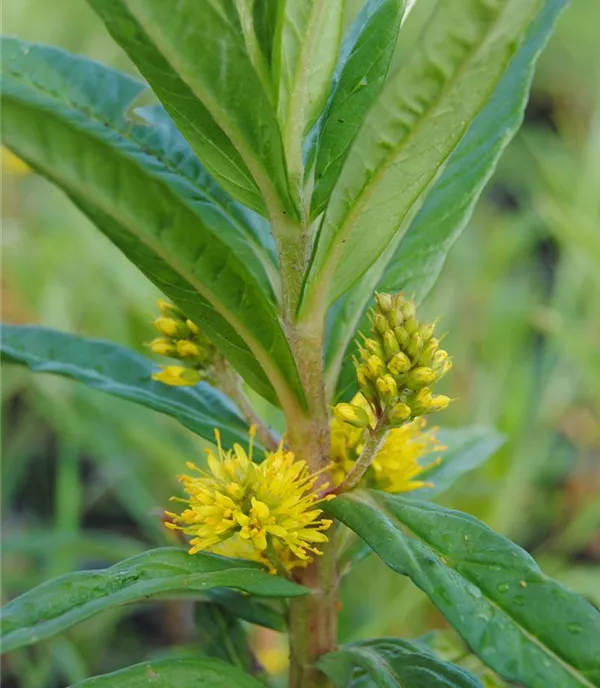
<point>525,626</point>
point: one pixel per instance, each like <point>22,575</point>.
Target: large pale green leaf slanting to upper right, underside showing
<point>415,124</point>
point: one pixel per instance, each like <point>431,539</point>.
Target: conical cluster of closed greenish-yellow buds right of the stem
<point>398,366</point>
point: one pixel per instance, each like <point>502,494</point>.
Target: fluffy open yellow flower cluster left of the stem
<point>264,512</point>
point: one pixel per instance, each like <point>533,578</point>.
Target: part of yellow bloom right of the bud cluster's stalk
<point>397,463</point>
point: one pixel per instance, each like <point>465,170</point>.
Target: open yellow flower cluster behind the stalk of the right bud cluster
<point>398,461</point>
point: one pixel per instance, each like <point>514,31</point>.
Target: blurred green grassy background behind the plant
<point>84,476</point>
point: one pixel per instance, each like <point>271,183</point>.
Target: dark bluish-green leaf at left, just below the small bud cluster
<point>124,373</point>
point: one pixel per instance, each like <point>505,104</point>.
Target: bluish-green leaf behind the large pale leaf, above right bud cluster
<point>415,264</point>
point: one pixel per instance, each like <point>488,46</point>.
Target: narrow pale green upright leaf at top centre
<point>305,52</point>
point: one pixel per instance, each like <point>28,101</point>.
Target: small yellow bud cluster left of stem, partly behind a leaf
<point>181,339</point>
